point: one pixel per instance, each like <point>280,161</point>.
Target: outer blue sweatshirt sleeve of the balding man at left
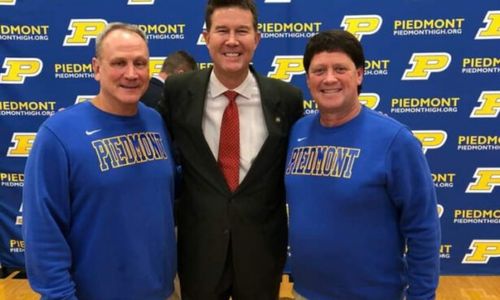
<point>47,218</point>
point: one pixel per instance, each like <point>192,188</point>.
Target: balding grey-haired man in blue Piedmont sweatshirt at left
<point>99,186</point>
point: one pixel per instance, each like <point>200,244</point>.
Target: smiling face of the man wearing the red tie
<point>231,41</point>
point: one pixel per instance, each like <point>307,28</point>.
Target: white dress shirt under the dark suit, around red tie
<point>253,130</point>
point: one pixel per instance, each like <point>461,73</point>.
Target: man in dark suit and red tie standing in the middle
<point>232,232</point>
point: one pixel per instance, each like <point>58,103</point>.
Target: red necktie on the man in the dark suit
<point>229,143</point>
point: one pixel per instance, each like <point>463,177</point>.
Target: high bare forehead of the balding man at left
<point>121,42</point>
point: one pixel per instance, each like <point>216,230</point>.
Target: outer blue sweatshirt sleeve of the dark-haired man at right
<point>412,189</point>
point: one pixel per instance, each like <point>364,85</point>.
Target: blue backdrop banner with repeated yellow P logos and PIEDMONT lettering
<point>434,65</point>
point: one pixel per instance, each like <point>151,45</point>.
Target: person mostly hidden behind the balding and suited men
<point>175,63</point>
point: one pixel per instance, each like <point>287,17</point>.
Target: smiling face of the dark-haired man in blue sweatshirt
<point>333,81</point>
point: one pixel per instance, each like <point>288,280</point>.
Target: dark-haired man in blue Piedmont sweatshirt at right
<point>362,204</point>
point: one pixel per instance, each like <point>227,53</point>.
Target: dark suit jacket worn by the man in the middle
<point>251,221</point>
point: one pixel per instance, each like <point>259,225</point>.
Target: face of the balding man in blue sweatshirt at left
<point>122,70</point>
